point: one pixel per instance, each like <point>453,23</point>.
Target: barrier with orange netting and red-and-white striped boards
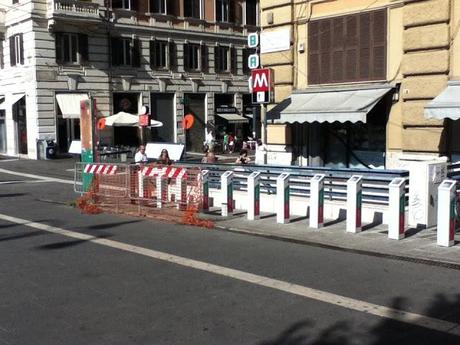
<point>173,193</point>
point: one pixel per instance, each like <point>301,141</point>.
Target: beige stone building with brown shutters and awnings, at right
<point>364,83</point>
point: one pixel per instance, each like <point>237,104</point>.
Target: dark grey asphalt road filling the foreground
<point>59,289</point>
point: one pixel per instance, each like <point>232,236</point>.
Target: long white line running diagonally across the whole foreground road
<point>284,286</point>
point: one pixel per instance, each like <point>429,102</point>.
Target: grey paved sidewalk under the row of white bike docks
<point>419,245</point>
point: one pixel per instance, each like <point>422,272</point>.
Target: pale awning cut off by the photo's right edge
<point>446,104</point>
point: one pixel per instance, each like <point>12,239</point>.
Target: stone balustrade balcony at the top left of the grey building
<point>73,9</point>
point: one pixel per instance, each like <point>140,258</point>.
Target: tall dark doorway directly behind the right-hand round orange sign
<point>194,104</point>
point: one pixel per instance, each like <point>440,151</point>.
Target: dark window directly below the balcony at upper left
<point>71,48</point>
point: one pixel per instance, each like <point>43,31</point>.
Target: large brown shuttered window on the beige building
<point>349,48</point>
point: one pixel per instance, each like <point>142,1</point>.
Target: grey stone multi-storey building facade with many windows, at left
<point>178,57</point>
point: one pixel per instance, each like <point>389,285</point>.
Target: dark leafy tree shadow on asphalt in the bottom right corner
<point>387,331</point>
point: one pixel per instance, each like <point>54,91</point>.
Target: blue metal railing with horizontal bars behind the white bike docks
<point>375,182</point>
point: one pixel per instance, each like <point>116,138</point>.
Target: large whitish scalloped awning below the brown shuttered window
<point>329,104</point>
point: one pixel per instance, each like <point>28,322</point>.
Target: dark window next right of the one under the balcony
<point>125,52</point>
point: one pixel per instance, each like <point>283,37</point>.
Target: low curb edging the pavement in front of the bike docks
<point>406,258</point>
